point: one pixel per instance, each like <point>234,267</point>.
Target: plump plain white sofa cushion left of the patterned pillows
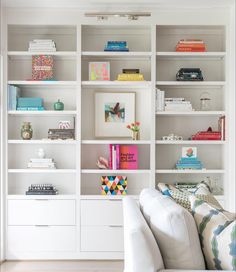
<point>174,229</point>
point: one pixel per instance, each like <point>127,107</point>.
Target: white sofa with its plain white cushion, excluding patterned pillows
<point>160,235</point>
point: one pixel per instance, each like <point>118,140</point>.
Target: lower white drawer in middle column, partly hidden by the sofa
<point>100,238</point>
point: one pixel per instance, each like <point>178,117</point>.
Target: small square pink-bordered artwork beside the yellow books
<point>99,71</point>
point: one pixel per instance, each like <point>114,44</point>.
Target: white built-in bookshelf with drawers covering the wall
<point>77,177</point>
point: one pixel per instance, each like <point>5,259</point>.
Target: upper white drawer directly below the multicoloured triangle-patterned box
<point>101,212</point>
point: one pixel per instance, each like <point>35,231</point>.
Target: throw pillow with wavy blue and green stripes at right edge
<point>217,232</point>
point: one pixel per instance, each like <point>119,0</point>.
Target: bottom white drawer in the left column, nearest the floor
<point>41,238</point>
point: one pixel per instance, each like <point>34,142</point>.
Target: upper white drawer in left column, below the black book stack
<point>41,212</point>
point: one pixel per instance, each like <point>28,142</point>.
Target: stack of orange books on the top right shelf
<point>191,45</point>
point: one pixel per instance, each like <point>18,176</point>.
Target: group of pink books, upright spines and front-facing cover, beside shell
<point>123,157</point>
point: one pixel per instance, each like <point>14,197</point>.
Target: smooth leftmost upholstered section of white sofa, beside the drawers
<point>141,250</point>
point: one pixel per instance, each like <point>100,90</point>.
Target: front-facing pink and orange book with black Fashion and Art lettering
<point>128,157</point>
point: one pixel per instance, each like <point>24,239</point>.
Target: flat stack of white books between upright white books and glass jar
<point>177,104</point>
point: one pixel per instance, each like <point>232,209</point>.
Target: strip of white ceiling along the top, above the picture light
<point>113,4</point>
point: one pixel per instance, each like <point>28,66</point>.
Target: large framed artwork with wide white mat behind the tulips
<point>113,112</point>
